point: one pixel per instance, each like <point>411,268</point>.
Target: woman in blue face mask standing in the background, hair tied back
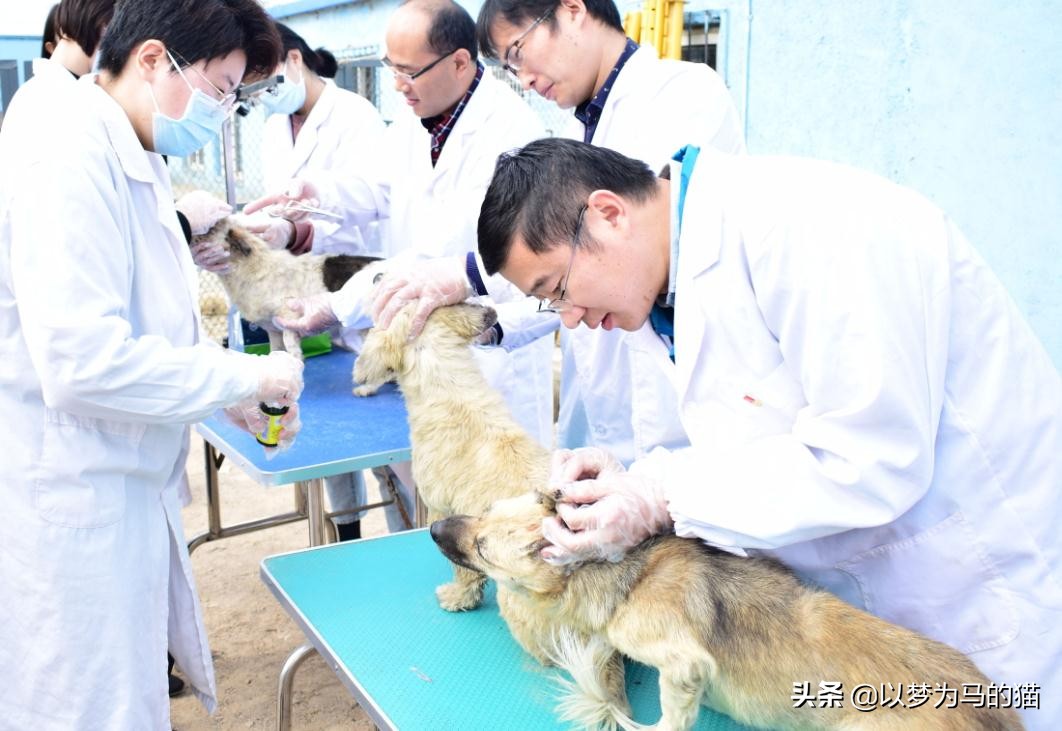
<point>315,126</point>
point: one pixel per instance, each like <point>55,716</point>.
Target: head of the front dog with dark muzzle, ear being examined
<point>505,543</point>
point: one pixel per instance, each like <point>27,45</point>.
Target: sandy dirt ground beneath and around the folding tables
<point>251,637</point>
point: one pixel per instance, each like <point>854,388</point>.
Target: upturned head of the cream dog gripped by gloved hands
<point>388,354</point>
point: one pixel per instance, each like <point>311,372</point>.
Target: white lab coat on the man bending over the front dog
<point>866,404</point>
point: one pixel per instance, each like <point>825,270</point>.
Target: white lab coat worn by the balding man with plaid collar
<point>434,212</point>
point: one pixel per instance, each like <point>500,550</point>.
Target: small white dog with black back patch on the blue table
<point>263,280</point>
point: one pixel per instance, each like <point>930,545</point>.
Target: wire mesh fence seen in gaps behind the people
<point>361,71</point>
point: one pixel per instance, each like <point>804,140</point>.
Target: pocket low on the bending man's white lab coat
<point>940,583</point>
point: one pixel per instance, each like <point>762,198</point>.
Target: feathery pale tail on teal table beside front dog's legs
<point>585,699</point>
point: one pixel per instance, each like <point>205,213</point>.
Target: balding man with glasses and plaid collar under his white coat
<point>429,183</point>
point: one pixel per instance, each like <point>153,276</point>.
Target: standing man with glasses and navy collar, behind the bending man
<point>575,54</point>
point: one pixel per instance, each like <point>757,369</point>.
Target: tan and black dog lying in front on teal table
<point>733,634</point>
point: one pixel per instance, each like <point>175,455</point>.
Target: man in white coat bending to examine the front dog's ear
<point>863,398</point>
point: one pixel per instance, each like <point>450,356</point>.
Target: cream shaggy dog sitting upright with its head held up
<point>468,449</point>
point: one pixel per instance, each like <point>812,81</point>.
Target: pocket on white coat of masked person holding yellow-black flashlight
<point>83,470</point>
